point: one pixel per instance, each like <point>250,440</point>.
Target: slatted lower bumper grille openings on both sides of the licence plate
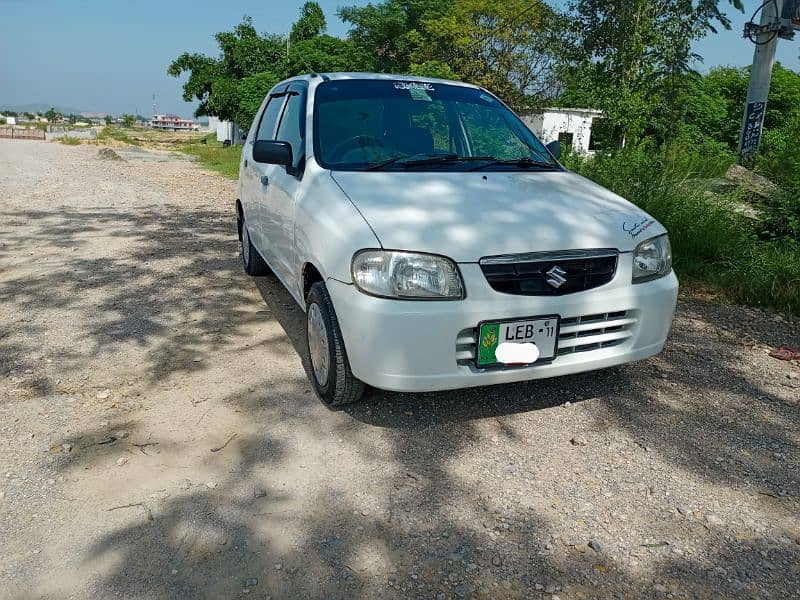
<point>576,334</point>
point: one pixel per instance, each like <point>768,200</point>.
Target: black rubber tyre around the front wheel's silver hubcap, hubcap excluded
<point>341,386</point>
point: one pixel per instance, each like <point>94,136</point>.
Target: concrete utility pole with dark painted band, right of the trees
<point>778,20</point>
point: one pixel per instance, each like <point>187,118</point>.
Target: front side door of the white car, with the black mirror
<point>284,186</point>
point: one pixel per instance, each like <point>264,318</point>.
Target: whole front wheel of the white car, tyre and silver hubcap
<point>333,380</point>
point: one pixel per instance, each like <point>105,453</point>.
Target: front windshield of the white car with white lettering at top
<point>382,124</point>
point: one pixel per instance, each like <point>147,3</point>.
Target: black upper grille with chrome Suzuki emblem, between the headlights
<point>528,274</point>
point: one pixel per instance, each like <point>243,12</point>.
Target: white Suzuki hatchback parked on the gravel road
<point>435,243</point>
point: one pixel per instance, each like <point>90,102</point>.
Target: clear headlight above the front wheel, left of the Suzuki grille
<point>407,275</point>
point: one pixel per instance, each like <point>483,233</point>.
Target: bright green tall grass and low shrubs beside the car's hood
<point>711,242</point>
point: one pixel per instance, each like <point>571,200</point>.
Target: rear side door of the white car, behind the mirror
<point>255,176</point>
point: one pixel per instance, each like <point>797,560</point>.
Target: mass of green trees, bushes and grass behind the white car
<point>666,141</point>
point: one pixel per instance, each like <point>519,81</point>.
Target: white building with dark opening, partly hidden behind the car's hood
<point>570,126</point>
